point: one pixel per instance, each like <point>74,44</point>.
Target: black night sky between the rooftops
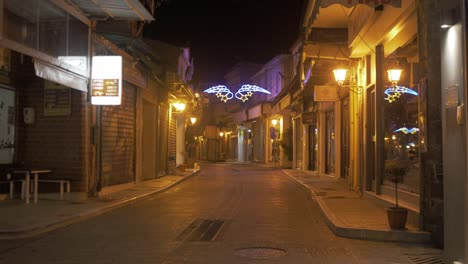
<point>223,32</point>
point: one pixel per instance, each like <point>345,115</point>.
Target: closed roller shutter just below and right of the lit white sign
<point>118,140</point>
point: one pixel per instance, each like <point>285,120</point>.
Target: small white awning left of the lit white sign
<point>55,74</point>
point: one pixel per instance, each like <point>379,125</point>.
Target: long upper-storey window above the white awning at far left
<point>42,26</point>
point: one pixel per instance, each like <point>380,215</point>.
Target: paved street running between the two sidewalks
<point>225,214</point>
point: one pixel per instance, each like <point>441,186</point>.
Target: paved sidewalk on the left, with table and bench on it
<point>20,220</point>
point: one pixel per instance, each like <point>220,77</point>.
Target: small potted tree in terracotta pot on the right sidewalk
<point>395,172</point>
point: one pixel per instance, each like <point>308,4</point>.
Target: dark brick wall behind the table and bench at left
<point>55,142</point>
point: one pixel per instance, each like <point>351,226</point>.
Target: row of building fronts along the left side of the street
<point>51,122</point>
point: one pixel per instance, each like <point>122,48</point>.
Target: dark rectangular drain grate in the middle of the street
<point>201,230</point>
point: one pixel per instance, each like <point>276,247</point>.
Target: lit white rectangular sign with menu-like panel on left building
<point>106,80</point>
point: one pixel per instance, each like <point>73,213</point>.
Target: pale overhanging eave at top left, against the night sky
<point>115,9</point>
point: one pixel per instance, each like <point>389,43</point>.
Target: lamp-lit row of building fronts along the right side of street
<point>372,121</point>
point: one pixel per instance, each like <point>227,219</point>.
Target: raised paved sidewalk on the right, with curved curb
<point>350,215</point>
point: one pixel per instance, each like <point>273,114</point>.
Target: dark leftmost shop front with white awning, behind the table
<point>44,82</point>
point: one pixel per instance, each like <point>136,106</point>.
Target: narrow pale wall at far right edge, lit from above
<point>454,152</point>
